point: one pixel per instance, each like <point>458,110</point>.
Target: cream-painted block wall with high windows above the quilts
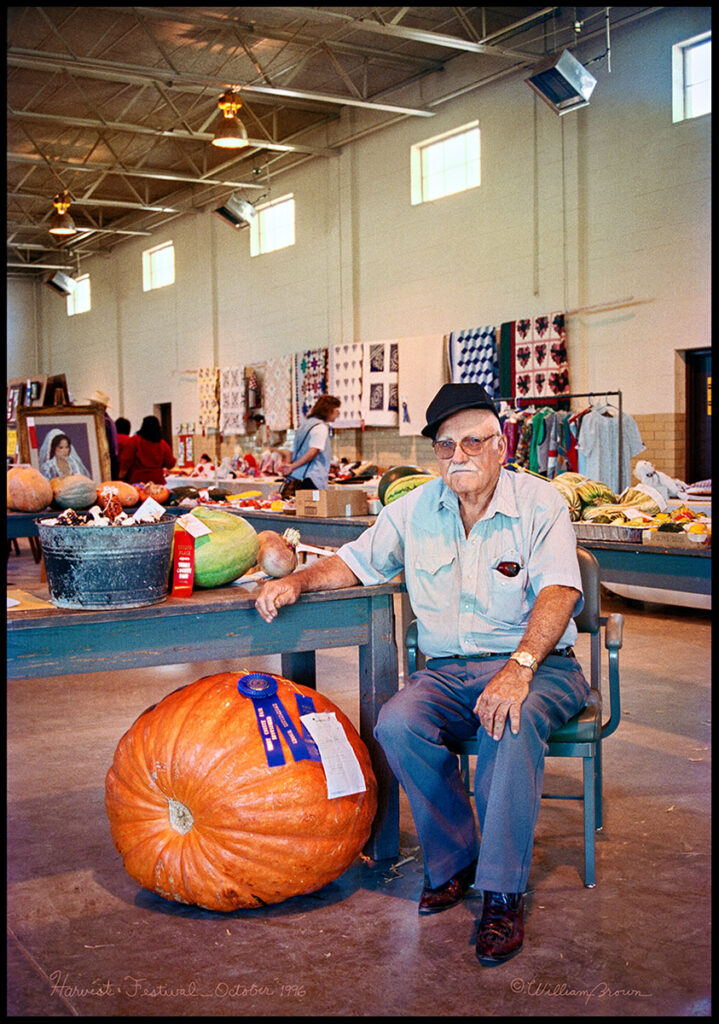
<point>604,205</point>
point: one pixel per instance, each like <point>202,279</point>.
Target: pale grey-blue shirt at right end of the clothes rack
<point>599,443</point>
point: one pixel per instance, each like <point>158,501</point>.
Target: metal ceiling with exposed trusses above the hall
<point>119,105</point>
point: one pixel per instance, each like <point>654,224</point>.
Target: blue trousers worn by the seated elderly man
<point>437,706</point>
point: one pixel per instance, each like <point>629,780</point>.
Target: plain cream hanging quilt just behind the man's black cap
<point>422,371</point>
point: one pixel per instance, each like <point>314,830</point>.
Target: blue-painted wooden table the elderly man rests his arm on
<point>221,624</point>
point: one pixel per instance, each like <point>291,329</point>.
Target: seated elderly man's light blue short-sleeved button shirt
<point>463,603</point>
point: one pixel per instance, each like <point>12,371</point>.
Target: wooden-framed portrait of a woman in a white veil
<point>83,450</point>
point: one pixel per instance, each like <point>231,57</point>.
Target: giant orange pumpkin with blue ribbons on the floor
<point>200,818</point>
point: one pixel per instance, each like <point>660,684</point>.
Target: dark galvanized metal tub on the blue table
<point>99,568</point>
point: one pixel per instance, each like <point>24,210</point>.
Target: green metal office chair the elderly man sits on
<point>582,736</point>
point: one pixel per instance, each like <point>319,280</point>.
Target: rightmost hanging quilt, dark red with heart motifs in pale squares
<point>533,355</point>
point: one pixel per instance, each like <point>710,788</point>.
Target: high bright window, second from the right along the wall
<point>446,164</point>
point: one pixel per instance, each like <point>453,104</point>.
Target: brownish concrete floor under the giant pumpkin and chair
<point>86,942</point>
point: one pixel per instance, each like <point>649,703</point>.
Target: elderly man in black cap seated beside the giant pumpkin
<point>491,569</point>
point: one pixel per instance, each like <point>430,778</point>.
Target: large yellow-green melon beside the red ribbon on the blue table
<point>228,552</point>
